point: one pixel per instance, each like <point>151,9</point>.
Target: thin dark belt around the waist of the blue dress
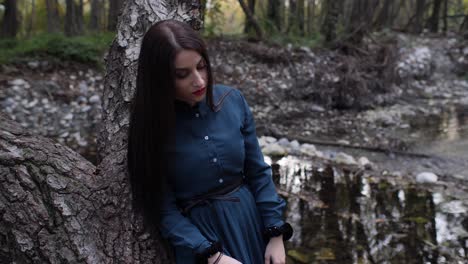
<point>221,193</point>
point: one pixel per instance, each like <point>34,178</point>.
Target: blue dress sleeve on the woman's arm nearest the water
<point>258,174</point>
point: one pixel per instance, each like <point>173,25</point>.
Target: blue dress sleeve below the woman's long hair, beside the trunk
<point>178,228</point>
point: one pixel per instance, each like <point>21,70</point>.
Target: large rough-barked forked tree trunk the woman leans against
<point>57,207</point>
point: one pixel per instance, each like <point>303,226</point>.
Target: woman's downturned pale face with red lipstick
<point>191,76</point>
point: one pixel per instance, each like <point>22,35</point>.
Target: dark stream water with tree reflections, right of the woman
<point>350,217</point>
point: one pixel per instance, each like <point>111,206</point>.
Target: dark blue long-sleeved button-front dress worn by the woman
<point>214,148</point>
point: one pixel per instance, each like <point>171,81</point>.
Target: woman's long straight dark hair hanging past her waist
<point>152,117</point>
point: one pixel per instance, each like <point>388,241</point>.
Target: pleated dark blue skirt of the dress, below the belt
<point>237,224</point>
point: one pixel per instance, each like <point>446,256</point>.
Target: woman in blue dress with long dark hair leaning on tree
<point>195,166</point>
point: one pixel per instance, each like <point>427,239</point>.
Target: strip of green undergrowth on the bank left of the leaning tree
<point>88,49</point>
